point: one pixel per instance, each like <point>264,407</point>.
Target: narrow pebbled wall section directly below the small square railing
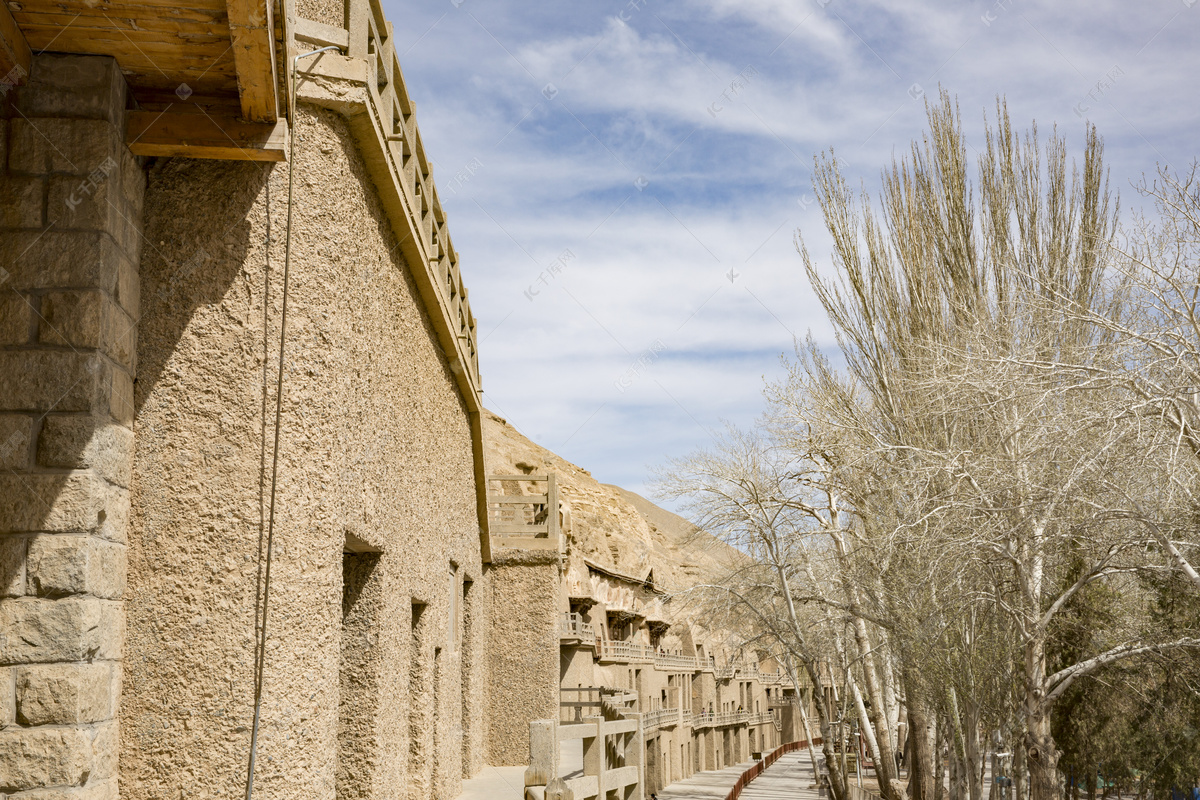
<point>525,654</point>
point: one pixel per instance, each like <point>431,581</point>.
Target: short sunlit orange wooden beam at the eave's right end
<point>253,28</point>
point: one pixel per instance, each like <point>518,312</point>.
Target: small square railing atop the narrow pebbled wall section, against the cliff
<point>521,520</point>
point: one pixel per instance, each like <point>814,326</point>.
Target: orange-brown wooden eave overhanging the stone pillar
<point>211,71</point>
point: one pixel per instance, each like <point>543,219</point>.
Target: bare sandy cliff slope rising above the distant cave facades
<point>607,525</point>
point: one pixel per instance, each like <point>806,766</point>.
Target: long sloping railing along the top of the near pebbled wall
<point>368,38</point>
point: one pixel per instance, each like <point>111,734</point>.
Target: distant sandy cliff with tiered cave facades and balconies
<point>629,635</point>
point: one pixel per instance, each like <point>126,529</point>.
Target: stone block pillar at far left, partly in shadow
<point>70,218</point>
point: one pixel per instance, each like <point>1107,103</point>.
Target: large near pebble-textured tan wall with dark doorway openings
<point>376,448</point>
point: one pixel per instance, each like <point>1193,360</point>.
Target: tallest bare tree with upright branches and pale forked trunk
<point>946,312</point>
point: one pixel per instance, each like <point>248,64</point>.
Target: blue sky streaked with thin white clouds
<point>625,181</point>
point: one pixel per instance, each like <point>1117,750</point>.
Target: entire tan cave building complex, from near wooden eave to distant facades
<point>245,489</point>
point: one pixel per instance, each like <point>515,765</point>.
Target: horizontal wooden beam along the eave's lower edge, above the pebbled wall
<point>205,136</point>
